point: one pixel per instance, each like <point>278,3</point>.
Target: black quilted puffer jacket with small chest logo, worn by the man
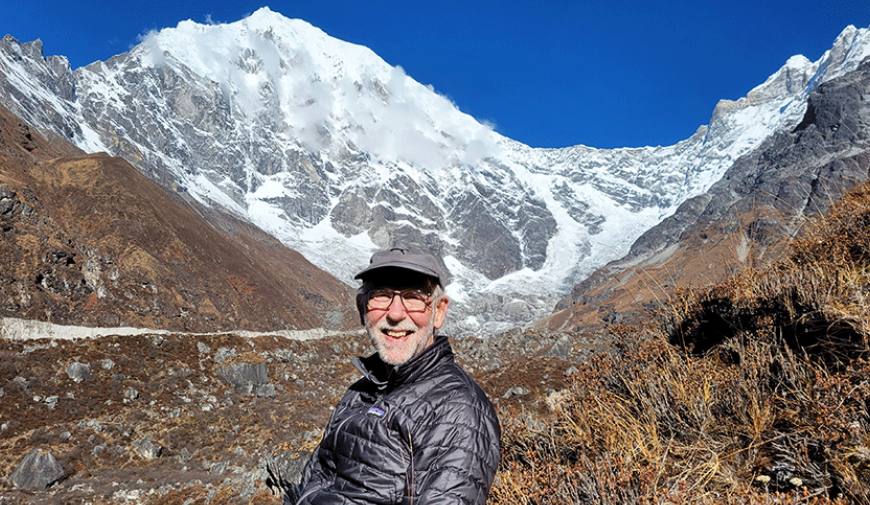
<point>423,433</point>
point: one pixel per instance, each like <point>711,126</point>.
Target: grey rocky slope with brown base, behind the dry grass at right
<point>744,219</point>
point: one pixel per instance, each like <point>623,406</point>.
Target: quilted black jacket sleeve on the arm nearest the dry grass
<point>456,456</point>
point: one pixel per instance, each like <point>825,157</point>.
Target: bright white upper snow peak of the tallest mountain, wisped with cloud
<point>329,94</point>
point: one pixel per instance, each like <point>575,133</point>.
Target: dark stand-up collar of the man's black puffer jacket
<point>383,375</point>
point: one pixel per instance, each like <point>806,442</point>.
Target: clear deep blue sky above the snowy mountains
<point>605,74</point>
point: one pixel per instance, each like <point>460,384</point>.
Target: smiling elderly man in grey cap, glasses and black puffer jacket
<point>415,429</point>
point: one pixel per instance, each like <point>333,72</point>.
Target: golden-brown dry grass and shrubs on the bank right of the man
<point>755,391</point>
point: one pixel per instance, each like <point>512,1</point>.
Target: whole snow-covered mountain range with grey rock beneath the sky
<point>336,152</point>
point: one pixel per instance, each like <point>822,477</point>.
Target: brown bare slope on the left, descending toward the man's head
<point>87,239</point>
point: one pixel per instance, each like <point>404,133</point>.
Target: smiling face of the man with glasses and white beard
<point>400,335</point>
